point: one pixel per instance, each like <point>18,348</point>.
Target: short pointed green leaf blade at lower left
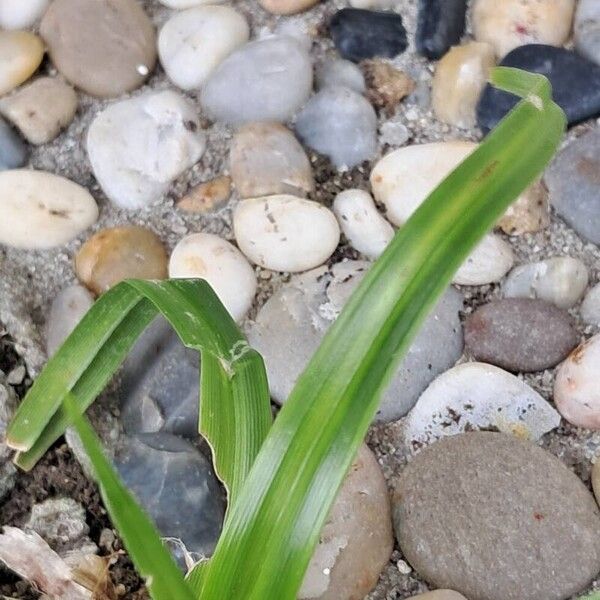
<point>153,561</point>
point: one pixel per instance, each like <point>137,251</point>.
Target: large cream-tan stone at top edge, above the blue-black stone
<point>511,23</point>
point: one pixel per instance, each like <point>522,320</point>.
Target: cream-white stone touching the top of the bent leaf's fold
<point>222,265</point>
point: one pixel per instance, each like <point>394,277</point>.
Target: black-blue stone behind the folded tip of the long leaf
<point>575,84</point>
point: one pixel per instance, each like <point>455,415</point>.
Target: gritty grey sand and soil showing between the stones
<point>30,280</point>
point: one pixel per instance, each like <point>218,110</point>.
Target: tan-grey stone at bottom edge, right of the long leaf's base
<point>357,540</point>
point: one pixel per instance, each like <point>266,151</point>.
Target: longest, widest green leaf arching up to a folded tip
<point>274,524</point>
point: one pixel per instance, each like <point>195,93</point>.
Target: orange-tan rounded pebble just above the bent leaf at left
<point>112,255</point>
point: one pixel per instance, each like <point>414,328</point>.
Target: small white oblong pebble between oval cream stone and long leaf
<point>366,230</point>
